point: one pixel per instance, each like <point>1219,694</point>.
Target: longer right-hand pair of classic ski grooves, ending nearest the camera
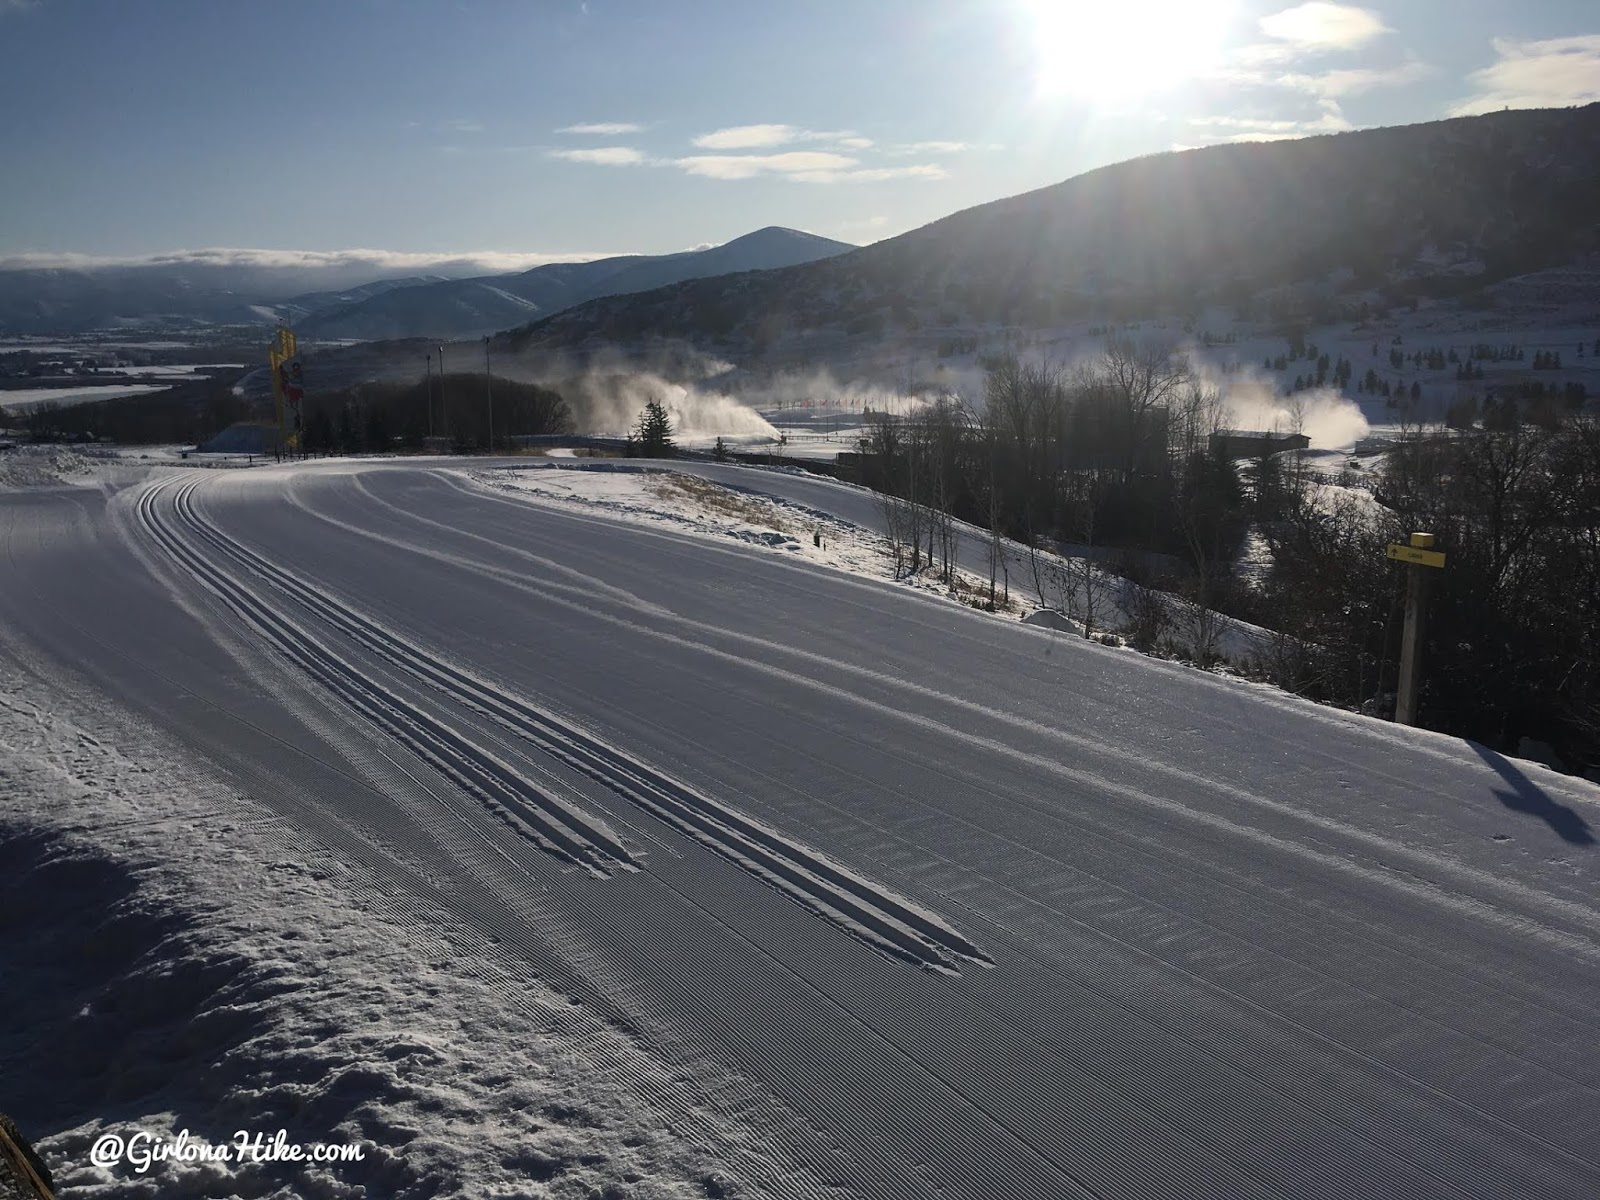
<point>822,886</point>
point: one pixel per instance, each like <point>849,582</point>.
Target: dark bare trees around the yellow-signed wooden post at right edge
<point>1514,620</point>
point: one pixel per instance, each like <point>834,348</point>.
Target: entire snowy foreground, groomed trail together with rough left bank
<point>569,834</point>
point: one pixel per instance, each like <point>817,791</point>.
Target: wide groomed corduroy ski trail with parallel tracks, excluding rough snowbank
<point>934,905</point>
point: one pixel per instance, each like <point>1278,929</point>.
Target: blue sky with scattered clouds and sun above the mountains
<point>524,129</point>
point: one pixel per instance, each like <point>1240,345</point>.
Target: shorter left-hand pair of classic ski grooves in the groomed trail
<point>540,817</point>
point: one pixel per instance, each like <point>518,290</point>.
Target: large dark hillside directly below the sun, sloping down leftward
<point>1298,230</point>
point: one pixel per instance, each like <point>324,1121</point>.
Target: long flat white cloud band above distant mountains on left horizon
<point>303,260</point>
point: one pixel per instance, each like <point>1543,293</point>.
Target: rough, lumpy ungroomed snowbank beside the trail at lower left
<point>178,959</point>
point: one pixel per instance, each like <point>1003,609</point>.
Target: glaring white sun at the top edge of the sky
<point>1124,49</point>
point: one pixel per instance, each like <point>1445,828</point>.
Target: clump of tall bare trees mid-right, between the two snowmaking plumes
<point>1111,454</point>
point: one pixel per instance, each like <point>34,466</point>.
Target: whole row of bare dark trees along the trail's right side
<point>1114,462</point>
